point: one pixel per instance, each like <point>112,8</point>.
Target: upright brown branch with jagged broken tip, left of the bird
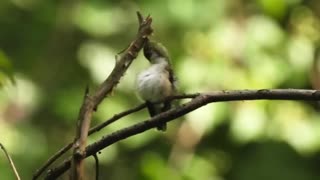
<point>91,103</point>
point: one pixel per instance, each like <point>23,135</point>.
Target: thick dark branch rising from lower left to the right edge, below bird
<point>199,100</point>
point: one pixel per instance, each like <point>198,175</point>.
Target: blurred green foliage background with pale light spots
<point>50,50</point>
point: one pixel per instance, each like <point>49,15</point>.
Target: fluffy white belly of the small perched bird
<point>153,86</point>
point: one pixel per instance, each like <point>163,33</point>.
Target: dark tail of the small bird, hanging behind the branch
<point>154,110</point>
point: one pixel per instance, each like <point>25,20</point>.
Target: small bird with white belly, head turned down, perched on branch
<point>158,81</point>
